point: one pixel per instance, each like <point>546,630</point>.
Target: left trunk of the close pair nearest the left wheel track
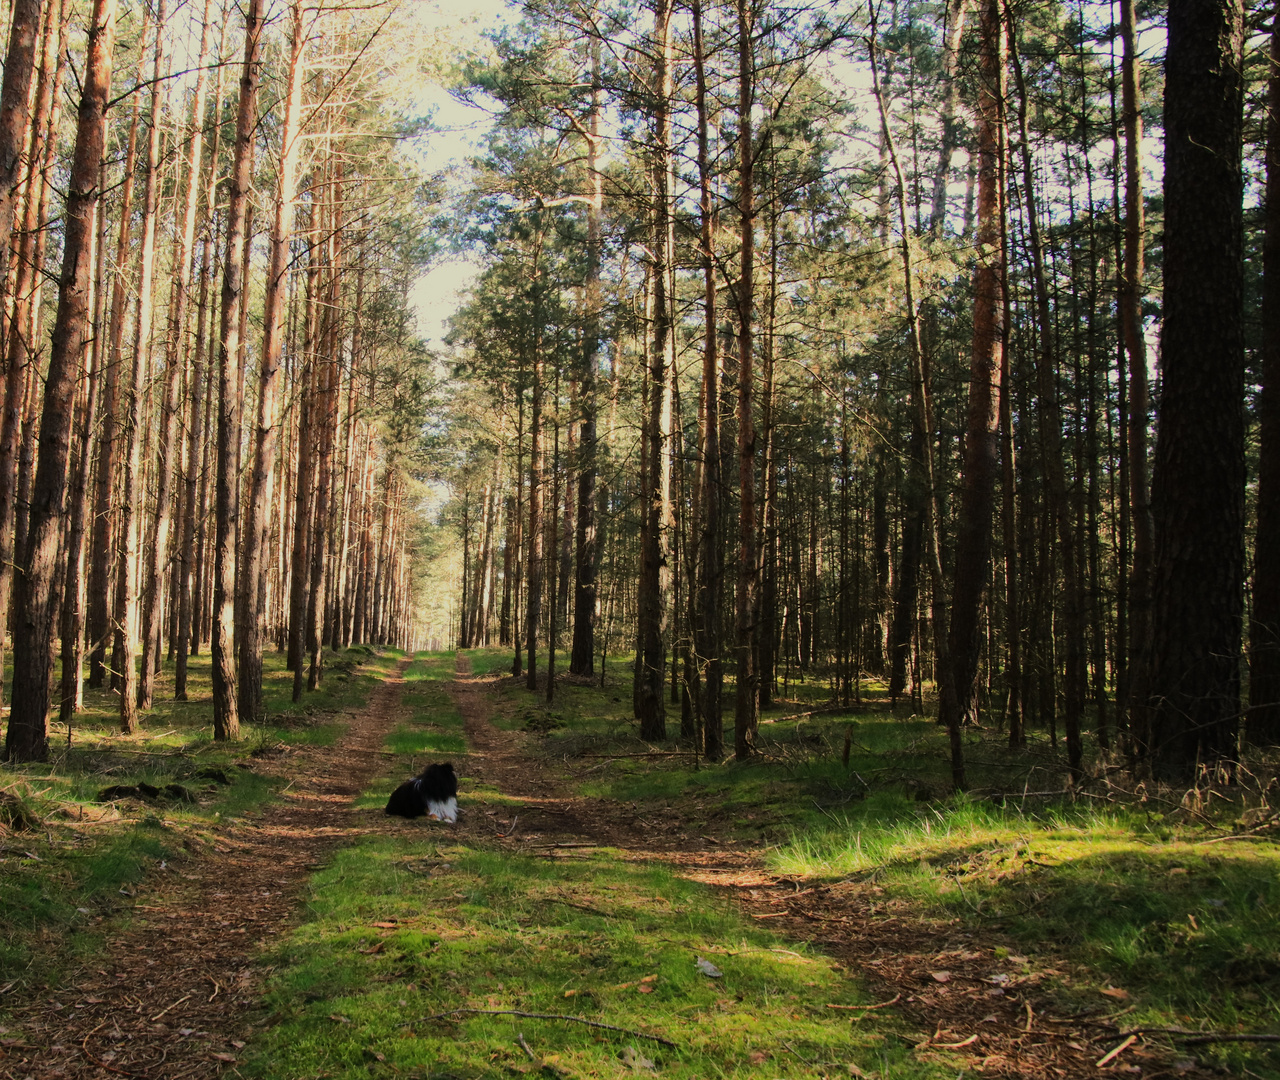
<point>226,706</point>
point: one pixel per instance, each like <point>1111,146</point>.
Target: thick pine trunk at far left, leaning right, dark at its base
<point>38,601</point>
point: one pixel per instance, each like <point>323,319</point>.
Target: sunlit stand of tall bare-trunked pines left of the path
<point>108,436</point>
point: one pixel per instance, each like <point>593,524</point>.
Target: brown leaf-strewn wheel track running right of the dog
<point>979,1004</point>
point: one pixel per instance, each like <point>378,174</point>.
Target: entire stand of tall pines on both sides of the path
<point>756,364</point>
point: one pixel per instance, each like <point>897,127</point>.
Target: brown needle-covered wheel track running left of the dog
<point>167,996</point>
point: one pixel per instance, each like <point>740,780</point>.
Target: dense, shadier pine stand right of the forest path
<point>828,351</point>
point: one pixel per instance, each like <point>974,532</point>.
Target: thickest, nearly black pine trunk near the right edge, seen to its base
<point>1199,478</point>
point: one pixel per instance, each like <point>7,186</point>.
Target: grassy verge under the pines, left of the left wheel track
<point>71,850</point>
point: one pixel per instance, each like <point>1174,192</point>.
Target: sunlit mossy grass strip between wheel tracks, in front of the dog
<point>406,928</point>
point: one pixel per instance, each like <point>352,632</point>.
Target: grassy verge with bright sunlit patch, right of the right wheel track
<point>1144,901</point>
